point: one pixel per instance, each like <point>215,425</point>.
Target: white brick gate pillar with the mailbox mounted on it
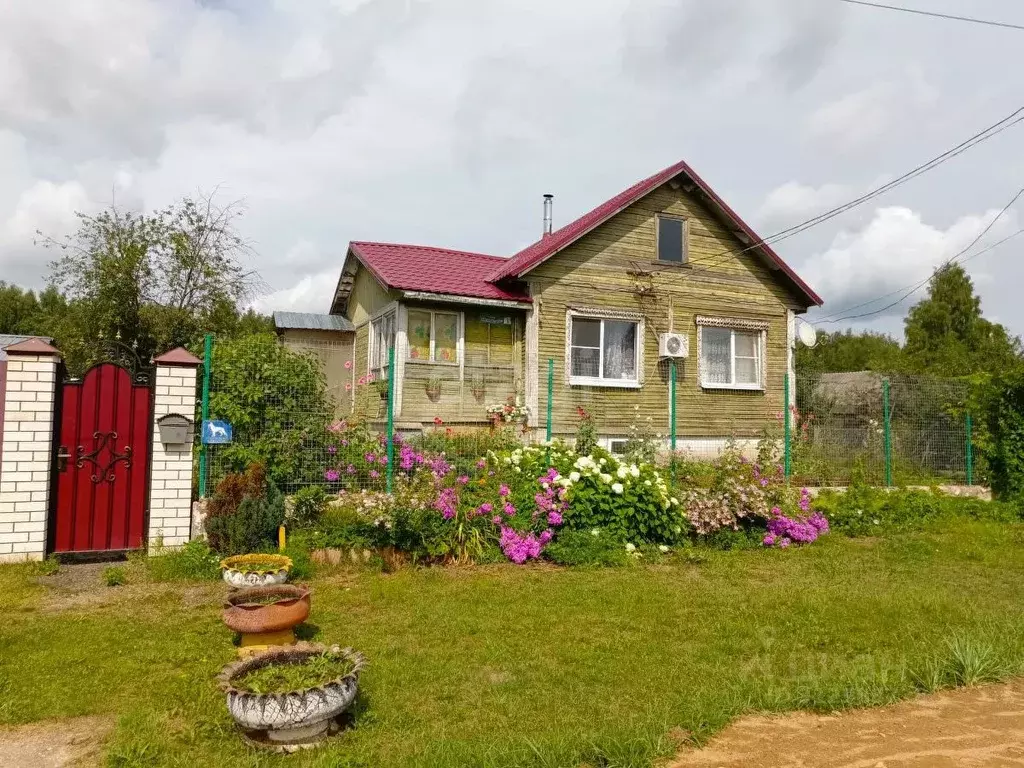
<point>172,476</point>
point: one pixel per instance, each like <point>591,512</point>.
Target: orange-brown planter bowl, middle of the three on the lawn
<point>267,617</point>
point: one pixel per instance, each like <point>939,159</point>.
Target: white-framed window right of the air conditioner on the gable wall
<point>732,356</point>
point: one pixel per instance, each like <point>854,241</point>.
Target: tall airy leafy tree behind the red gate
<point>152,281</point>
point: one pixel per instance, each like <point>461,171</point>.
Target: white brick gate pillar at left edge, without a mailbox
<point>28,442</point>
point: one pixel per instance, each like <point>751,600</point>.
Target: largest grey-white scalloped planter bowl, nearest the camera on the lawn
<point>295,715</point>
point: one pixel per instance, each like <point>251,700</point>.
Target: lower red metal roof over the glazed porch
<point>435,271</point>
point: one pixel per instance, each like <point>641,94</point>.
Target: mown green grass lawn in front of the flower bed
<point>511,666</point>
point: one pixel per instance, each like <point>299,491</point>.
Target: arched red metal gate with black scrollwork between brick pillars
<point>103,462</point>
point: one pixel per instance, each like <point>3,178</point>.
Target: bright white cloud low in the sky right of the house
<point>897,250</point>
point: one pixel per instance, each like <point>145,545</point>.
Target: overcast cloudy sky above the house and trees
<point>442,122</point>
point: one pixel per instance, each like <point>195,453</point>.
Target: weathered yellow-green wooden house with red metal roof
<point>659,311</point>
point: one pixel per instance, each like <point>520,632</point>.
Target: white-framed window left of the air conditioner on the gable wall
<point>604,352</point>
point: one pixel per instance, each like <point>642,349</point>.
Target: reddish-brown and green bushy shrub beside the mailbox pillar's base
<point>245,514</point>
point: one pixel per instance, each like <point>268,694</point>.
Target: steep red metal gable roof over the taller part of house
<point>545,248</point>
